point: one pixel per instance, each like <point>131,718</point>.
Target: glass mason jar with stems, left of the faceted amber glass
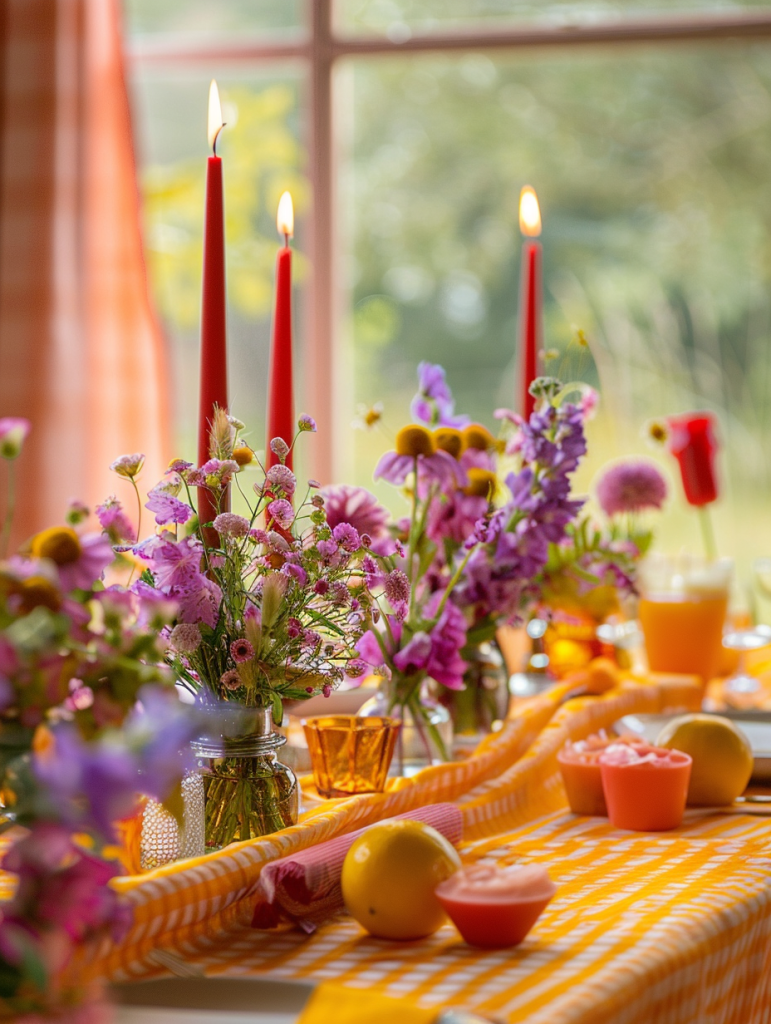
<point>247,791</point>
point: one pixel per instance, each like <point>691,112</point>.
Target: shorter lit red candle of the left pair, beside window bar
<point>281,410</point>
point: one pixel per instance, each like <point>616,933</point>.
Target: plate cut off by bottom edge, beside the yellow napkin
<point>210,1001</point>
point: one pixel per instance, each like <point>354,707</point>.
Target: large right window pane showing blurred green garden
<point>653,170</point>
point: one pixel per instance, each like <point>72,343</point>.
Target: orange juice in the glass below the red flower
<point>684,632</point>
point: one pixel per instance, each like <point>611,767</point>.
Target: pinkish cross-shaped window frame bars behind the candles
<point>318,50</point>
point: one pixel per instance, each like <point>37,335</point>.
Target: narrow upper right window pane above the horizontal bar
<point>400,18</point>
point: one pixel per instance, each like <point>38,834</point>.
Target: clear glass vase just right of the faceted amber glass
<point>426,735</point>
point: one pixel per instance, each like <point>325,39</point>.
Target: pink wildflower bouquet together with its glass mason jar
<point>270,609</point>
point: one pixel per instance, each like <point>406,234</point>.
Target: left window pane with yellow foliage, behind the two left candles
<point>263,156</point>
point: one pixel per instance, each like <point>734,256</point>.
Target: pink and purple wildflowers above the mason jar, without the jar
<point>270,605</point>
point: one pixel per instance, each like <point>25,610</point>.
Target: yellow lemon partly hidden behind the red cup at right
<point>722,757</point>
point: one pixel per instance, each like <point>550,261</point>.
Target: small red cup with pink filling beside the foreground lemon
<point>494,908</point>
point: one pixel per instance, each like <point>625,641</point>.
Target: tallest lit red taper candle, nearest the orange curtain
<point>213,331</point>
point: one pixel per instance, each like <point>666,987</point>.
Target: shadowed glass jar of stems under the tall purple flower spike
<point>486,699</point>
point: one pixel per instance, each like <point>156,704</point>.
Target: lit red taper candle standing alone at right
<point>531,302</point>
